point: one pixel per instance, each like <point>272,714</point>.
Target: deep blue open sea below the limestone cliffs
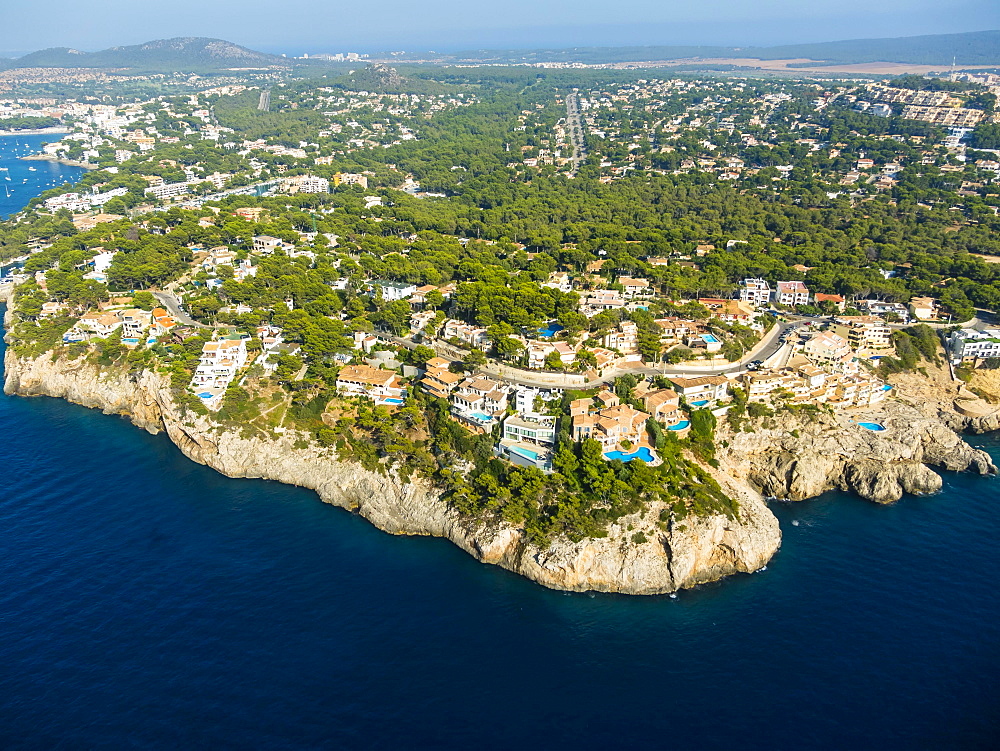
<point>149,602</point>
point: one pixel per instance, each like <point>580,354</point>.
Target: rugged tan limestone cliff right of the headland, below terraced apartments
<point>793,457</point>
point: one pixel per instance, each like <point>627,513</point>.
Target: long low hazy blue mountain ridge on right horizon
<point>973,48</point>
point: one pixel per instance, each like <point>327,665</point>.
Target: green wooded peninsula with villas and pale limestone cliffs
<point>584,329</point>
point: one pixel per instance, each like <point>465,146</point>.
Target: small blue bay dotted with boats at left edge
<point>25,183</point>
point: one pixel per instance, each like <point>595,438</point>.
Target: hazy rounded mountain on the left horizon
<point>182,53</point>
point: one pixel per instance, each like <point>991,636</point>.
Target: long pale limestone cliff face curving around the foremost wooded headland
<point>694,552</point>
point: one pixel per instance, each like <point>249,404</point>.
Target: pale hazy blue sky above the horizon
<point>297,26</point>
